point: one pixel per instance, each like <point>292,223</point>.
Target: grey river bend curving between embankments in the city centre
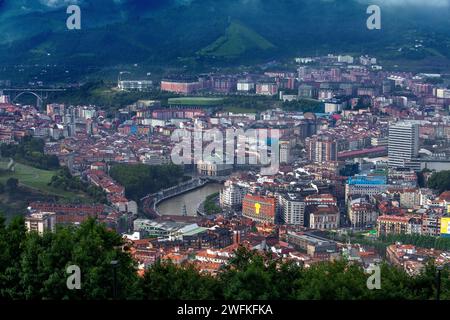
<point>192,199</point>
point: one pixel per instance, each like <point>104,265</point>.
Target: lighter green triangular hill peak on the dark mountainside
<point>237,41</point>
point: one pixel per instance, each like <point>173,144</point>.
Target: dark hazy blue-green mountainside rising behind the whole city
<point>161,32</point>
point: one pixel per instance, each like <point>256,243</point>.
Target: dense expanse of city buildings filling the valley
<point>361,162</point>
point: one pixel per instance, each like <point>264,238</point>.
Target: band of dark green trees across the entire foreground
<point>34,266</point>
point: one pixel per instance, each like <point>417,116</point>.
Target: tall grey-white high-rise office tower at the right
<point>404,145</point>
